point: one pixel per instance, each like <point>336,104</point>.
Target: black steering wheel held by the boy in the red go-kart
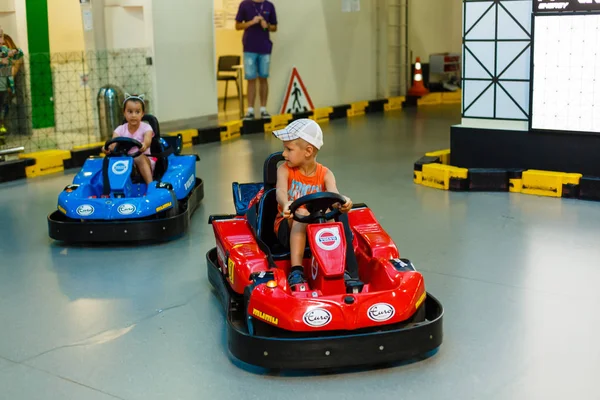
<point>317,205</point>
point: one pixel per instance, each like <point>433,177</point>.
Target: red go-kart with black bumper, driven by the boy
<point>361,305</point>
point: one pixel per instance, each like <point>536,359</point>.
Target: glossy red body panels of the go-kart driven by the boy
<point>388,296</point>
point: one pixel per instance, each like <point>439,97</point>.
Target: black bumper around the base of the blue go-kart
<point>67,230</point>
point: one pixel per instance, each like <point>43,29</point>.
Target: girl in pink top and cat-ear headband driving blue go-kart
<point>135,128</point>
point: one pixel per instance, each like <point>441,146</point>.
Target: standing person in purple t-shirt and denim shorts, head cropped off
<point>257,18</point>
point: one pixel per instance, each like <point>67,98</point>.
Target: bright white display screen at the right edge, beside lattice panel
<point>566,73</point>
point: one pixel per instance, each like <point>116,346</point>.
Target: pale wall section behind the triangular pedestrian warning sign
<point>333,51</point>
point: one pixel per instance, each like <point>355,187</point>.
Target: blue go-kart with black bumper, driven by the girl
<point>109,202</point>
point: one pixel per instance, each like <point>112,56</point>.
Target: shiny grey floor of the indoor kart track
<point>518,276</point>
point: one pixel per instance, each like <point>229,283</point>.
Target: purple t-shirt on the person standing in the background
<point>256,39</point>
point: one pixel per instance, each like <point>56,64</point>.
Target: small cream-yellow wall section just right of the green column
<point>64,26</point>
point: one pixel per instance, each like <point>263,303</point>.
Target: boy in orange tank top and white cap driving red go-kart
<point>300,175</point>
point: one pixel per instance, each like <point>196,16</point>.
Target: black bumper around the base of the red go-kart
<point>402,343</point>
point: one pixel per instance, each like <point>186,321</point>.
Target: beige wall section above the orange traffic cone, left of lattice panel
<point>435,26</point>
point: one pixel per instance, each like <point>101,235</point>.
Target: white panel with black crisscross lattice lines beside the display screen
<point>496,53</point>
